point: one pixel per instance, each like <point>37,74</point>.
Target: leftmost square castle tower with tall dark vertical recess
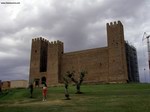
<point>38,61</point>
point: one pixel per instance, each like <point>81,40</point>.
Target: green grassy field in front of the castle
<point>95,98</point>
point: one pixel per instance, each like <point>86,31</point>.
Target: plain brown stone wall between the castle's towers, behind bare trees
<point>94,61</point>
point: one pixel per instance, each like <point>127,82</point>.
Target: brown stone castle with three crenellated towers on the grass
<point>107,64</point>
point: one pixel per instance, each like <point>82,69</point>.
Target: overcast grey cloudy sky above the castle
<point>80,24</point>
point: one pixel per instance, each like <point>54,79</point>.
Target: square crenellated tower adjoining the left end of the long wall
<point>55,52</point>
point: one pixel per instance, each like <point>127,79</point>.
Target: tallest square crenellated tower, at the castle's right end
<point>116,51</point>
